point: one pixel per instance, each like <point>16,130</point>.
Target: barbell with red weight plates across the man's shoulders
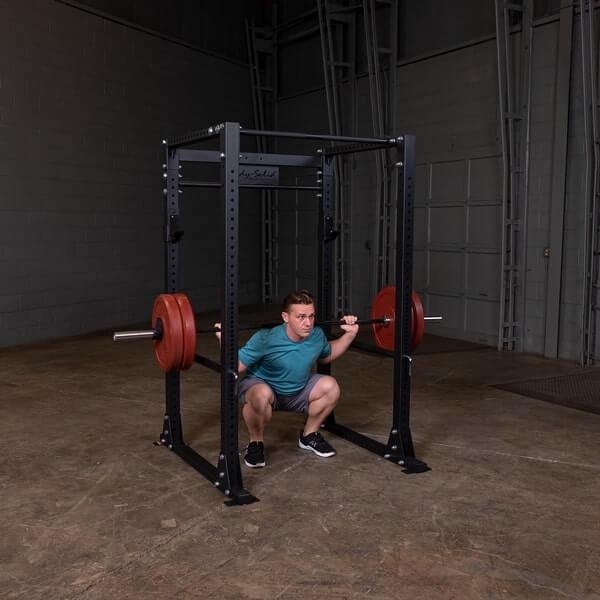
<point>174,327</point>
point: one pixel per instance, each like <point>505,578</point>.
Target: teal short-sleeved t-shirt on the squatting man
<point>282,363</point>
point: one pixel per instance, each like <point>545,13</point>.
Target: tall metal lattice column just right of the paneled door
<point>514,87</point>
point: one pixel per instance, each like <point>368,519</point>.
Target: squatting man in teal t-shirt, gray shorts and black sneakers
<point>278,363</point>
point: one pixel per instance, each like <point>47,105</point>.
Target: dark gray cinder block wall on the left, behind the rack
<point>84,105</point>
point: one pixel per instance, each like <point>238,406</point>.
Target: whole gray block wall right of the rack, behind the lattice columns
<point>457,252</point>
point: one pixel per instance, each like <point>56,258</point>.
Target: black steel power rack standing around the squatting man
<point>226,476</point>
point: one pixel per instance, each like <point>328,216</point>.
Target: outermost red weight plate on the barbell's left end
<point>169,349</point>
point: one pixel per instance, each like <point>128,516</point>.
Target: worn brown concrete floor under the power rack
<point>92,509</point>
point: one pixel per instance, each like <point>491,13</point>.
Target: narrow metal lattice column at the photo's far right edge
<point>591,248</point>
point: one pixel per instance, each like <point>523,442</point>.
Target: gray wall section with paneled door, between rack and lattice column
<point>449,102</point>
